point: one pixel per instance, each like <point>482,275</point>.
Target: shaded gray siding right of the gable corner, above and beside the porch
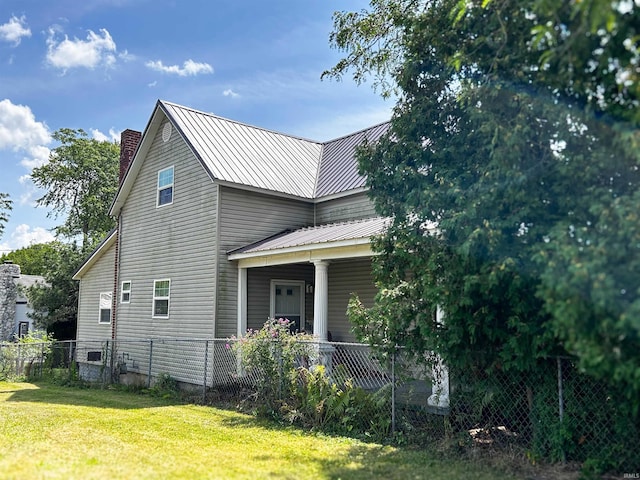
<point>247,217</point>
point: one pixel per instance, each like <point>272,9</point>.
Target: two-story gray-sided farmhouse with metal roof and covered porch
<point>222,225</point>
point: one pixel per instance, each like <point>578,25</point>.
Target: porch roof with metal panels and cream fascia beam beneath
<point>309,244</point>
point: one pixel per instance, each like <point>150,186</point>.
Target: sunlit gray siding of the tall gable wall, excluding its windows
<point>176,242</point>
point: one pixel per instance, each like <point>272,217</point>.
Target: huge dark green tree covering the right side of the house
<point>520,143</point>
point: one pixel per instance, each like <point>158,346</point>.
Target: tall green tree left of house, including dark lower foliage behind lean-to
<point>80,179</point>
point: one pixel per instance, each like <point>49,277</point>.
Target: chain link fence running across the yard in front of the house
<point>555,415</point>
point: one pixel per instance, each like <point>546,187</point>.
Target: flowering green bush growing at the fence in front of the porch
<point>292,385</point>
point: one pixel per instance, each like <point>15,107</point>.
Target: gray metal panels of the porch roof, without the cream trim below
<point>324,234</point>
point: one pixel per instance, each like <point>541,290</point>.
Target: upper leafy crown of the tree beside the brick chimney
<point>81,179</point>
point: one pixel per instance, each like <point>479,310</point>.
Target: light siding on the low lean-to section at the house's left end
<point>99,279</point>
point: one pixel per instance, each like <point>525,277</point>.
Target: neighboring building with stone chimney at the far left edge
<point>14,306</point>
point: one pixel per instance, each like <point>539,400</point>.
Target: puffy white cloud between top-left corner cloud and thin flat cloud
<point>96,50</point>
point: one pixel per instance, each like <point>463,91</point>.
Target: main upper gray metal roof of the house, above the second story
<point>252,156</point>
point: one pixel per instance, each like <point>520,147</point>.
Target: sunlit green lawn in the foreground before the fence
<point>48,431</point>
